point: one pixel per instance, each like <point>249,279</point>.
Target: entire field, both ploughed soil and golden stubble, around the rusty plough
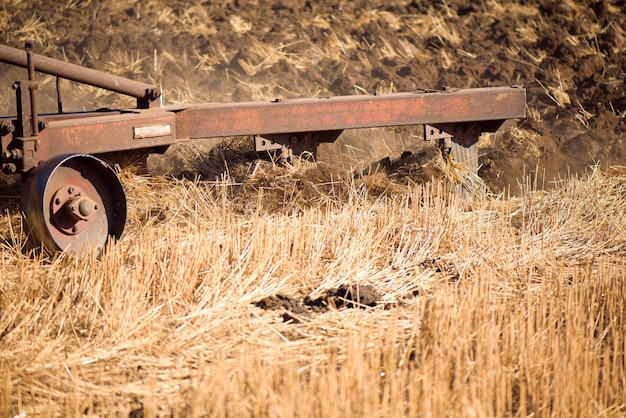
<point>247,287</point>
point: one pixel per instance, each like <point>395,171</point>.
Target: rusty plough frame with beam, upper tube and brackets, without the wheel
<point>295,126</point>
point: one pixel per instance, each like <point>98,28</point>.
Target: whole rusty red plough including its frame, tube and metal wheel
<point>73,200</point>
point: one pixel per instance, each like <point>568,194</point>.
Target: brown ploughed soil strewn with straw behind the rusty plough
<point>571,57</point>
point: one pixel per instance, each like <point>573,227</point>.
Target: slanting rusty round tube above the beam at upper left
<point>80,74</point>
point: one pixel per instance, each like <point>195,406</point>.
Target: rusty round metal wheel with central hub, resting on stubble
<point>73,203</point>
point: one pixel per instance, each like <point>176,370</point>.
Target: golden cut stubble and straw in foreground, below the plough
<point>489,307</point>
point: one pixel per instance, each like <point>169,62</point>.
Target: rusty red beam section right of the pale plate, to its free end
<point>349,112</point>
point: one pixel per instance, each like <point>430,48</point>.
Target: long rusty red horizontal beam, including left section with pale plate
<point>103,132</point>
